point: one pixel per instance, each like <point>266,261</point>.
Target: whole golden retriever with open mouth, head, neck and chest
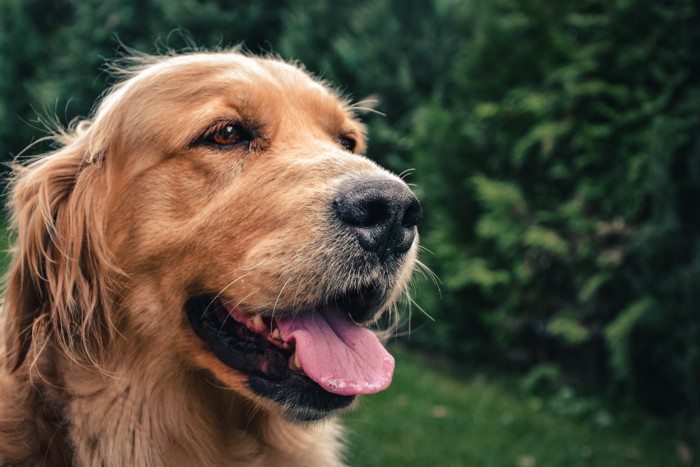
<point>195,271</point>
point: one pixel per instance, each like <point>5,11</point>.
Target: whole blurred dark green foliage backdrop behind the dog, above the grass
<point>556,148</point>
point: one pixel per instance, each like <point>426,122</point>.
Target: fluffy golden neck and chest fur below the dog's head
<point>144,410</point>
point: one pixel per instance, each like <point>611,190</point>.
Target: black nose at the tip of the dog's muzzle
<point>383,213</point>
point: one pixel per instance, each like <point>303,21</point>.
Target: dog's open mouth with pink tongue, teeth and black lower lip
<point>311,362</point>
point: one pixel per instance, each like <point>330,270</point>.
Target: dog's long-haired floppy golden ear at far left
<point>59,277</point>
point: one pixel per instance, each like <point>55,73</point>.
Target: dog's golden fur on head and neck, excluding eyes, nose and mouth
<point>123,222</point>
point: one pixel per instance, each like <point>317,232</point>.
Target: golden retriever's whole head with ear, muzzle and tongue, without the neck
<point>218,208</point>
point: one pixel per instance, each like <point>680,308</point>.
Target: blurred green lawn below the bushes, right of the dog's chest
<point>438,417</point>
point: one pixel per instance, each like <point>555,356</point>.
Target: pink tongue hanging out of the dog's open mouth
<point>342,357</point>
